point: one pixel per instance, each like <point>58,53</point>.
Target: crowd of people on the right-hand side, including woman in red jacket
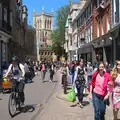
<point>102,82</point>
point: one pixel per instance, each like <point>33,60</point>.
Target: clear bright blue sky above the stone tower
<point>48,5</point>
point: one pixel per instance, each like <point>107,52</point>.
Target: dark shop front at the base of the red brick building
<point>103,49</point>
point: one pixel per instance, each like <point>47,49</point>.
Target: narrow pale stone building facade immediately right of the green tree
<point>71,30</point>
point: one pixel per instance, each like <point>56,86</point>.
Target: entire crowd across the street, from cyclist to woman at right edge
<point>101,81</point>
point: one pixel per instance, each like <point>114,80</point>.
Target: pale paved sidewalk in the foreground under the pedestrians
<point>59,109</point>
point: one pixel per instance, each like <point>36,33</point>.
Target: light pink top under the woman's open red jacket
<point>99,85</point>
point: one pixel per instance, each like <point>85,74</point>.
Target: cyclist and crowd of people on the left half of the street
<point>24,72</point>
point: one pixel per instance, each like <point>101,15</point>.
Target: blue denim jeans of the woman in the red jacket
<point>99,107</point>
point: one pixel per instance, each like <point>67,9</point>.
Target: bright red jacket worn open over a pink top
<point>107,79</point>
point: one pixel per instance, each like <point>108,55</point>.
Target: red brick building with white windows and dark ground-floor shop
<point>102,41</point>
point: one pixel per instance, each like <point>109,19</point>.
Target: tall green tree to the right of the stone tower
<point>58,35</point>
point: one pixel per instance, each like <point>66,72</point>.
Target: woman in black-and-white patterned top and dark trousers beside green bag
<point>80,81</point>
